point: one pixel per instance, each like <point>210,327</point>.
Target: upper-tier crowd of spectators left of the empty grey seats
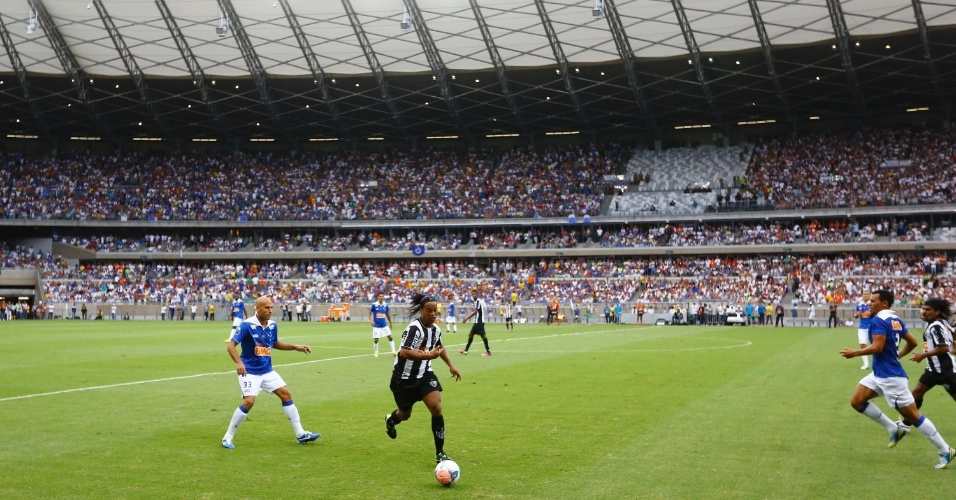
<point>433,184</point>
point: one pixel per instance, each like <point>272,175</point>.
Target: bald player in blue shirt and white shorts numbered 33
<point>258,335</point>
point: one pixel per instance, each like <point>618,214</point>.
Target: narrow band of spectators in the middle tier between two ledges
<point>629,236</point>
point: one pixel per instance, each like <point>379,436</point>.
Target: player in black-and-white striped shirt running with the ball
<point>412,377</point>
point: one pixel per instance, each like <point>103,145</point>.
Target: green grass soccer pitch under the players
<point>112,409</point>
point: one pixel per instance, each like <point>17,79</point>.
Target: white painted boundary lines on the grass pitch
<point>340,358</point>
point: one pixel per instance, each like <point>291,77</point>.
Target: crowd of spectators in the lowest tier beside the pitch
<point>764,278</point>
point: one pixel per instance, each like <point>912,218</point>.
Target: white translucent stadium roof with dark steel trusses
<point>353,69</point>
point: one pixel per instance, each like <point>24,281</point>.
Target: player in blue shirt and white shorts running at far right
<point>888,379</point>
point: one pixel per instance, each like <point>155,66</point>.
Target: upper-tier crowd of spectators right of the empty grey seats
<point>911,165</point>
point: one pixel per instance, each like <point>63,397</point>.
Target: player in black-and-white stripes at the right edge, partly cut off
<point>937,344</point>
